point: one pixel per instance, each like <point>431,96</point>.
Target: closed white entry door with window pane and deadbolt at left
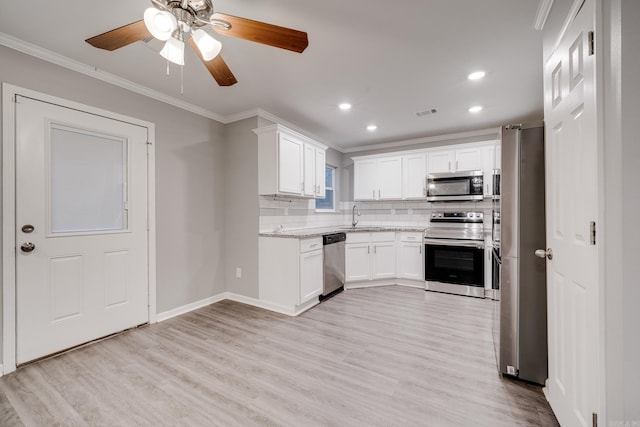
<point>81,227</point>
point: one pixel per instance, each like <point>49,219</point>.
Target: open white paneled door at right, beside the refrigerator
<point>571,174</point>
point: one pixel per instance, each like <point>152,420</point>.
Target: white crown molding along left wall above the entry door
<point>88,70</point>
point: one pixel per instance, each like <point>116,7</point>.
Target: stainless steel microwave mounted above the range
<point>456,186</point>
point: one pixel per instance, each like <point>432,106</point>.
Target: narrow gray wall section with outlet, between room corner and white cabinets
<point>242,207</point>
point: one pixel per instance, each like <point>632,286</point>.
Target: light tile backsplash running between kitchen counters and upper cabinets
<point>278,213</point>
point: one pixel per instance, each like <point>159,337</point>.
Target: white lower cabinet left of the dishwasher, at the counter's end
<point>290,273</point>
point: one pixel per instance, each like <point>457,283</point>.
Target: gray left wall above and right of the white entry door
<point>190,176</point>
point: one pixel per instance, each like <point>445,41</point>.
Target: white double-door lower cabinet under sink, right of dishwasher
<point>370,256</point>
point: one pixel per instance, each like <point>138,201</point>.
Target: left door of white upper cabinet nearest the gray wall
<point>290,157</point>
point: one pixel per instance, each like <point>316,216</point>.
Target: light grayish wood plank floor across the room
<point>387,356</point>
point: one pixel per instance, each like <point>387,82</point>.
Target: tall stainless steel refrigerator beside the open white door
<point>522,294</point>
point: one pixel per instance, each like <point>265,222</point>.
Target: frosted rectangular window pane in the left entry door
<point>88,181</point>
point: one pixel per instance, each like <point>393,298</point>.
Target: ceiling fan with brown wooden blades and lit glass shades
<point>170,20</point>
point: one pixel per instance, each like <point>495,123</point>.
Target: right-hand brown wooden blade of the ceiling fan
<point>260,32</point>
